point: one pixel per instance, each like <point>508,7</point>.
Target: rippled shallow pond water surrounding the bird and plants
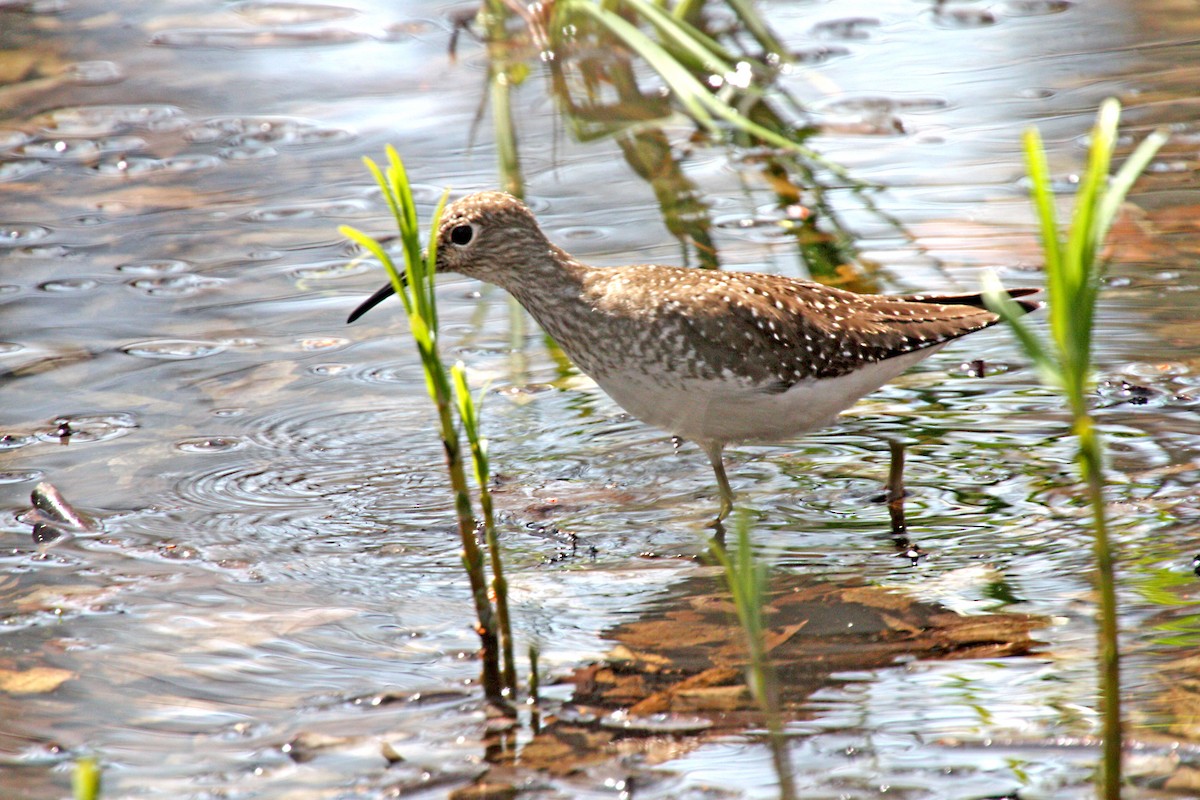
<point>275,560</point>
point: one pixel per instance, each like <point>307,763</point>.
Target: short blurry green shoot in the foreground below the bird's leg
<point>747,580</point>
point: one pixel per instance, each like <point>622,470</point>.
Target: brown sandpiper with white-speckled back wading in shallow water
<point>710,357</point>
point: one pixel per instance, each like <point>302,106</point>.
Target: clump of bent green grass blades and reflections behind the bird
<point>637,73</point>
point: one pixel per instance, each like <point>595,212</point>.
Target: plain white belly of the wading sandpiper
<point>716,411</point>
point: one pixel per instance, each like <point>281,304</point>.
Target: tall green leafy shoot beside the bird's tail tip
<point>1073,282</point>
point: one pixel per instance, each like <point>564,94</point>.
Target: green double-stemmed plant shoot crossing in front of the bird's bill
<point>416,287</point>
